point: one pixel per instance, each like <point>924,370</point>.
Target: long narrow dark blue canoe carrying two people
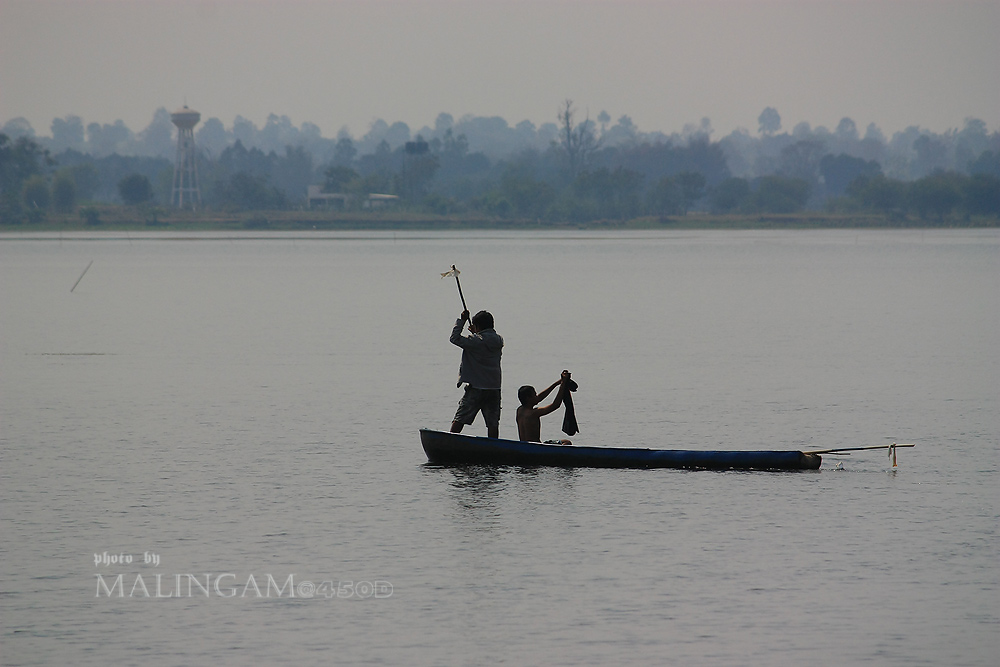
<point>445,448</point>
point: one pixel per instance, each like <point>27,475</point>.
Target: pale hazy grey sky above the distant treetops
<point>345,63</point>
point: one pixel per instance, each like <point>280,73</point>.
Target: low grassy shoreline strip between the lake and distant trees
<point>159,219</point>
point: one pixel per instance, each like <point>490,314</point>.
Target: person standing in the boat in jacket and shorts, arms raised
<point>480,370</point>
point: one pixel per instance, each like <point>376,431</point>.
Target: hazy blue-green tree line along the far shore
<point>573,169</point>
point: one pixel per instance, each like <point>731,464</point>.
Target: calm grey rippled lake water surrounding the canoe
<point>245,409</point>
